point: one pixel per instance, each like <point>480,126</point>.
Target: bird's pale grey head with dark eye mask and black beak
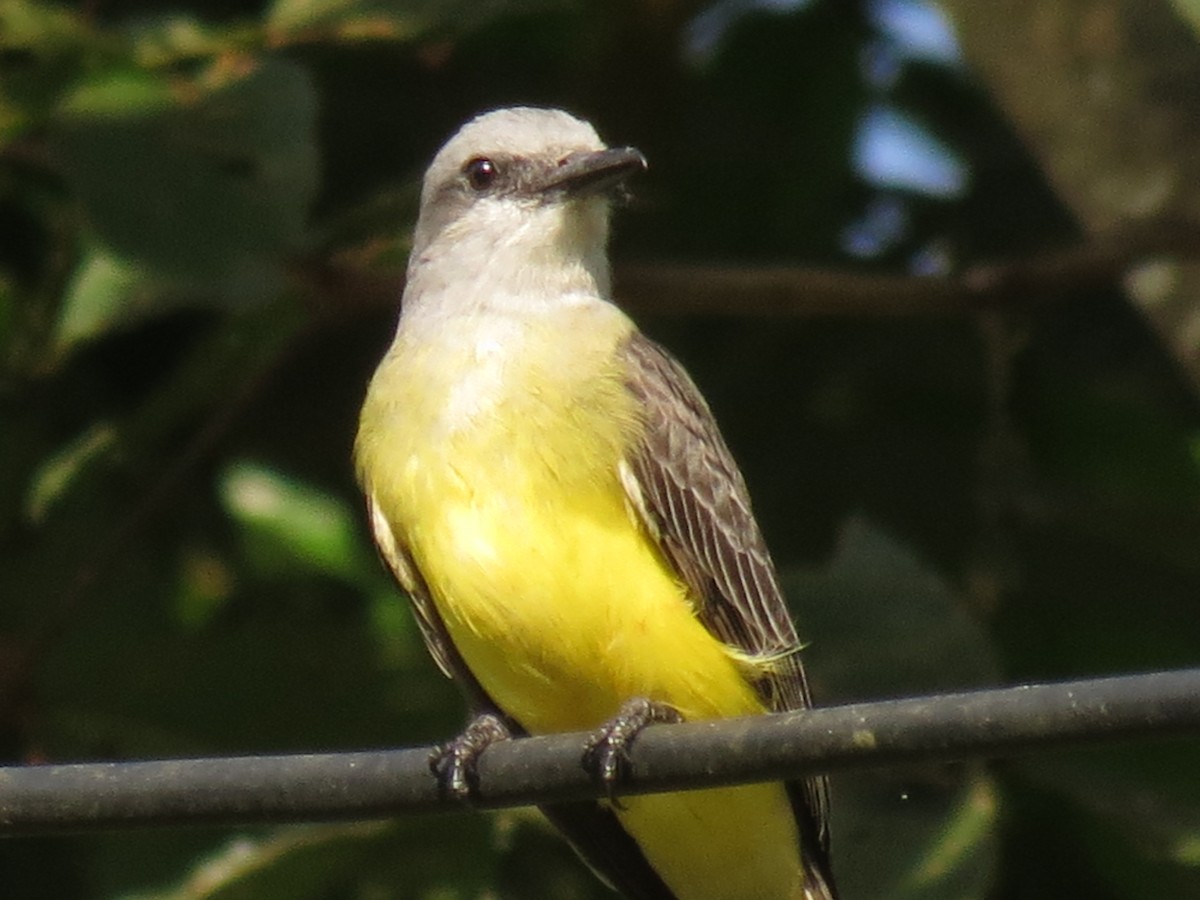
<point>520,189</point>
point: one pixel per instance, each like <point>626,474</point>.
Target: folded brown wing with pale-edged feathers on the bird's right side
<point>693,497</point>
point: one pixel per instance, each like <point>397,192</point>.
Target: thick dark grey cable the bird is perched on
<point>545,770</point>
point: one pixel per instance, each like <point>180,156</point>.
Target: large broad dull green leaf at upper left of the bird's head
<point>207,182</point>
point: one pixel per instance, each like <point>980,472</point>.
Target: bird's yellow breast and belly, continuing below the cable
<point>501,476</point>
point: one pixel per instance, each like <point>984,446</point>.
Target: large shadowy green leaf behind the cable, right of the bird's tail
<point>880,622</point>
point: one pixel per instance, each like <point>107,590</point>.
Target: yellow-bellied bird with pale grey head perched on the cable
<point>553,493</point>
